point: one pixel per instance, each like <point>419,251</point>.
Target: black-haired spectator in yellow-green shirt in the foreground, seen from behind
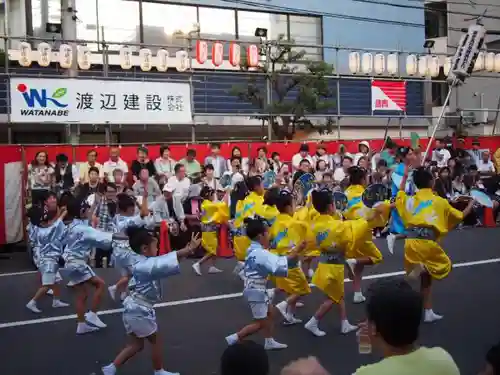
<point>394,313</point>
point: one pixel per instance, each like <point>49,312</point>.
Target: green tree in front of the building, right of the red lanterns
<point>295,92</point>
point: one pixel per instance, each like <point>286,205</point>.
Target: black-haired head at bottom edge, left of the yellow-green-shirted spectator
<point>244,358</point>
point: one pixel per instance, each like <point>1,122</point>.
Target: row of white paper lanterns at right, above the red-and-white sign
<point>423,65</point>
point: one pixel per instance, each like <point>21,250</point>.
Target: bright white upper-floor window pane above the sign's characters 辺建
<point>119,22</point>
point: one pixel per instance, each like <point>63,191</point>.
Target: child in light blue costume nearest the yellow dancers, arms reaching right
<point>259,265</point>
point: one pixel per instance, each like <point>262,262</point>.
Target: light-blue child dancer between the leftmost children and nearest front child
<point>79,240</point>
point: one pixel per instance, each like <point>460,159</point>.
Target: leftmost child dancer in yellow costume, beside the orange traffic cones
<point>213,214</point>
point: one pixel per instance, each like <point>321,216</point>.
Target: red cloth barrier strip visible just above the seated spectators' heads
<point>178,151</point>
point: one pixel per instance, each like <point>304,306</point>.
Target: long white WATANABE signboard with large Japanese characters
<point>99,102</point>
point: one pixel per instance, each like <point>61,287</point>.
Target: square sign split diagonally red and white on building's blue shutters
<point>389,96</point>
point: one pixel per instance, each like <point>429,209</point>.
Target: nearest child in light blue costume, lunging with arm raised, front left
<point>139,316</point>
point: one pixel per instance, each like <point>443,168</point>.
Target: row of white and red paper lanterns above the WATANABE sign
<point>147,61</point>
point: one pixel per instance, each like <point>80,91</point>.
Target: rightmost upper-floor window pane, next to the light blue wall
<point>307,31</point>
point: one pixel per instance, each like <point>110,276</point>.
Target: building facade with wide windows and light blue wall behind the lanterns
<point>326,33</point>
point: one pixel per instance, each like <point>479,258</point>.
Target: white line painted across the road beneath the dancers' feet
<point>219,297</point>
